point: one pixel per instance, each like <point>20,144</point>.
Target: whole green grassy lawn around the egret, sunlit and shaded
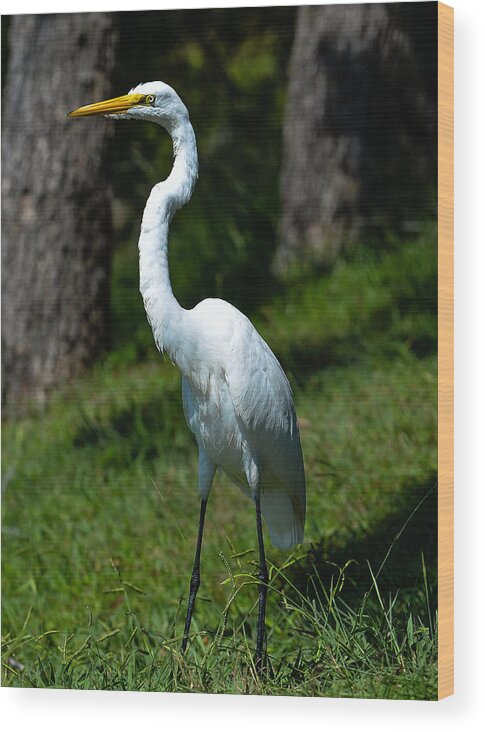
<point>100,512</point>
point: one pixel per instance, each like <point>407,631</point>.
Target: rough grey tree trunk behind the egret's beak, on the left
<point>56,220</point>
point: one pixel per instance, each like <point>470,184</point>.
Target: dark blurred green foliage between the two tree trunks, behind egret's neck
<point>232,77</point>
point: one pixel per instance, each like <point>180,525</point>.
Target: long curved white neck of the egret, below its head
<point>165,315</point>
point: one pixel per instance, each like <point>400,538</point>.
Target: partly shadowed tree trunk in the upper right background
<point>360,127</point>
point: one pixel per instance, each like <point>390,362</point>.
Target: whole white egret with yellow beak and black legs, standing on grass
<point>236,397</point>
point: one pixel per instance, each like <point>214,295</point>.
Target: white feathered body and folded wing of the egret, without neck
<point>238,404</point>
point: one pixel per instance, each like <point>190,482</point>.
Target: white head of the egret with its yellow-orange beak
<point>153,101</point>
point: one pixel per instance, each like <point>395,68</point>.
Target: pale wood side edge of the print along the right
<point>445,352</point>
